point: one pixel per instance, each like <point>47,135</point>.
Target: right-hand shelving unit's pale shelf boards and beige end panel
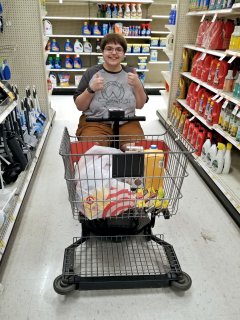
<point>225,187</point>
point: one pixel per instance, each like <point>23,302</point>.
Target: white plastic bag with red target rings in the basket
<point>98,195</point>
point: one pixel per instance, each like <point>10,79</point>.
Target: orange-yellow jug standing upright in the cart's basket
<point>153,168</point>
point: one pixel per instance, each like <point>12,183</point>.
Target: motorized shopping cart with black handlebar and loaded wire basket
<point>117,196</point>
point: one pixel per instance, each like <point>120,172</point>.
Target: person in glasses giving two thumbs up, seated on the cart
<point>109,85</point>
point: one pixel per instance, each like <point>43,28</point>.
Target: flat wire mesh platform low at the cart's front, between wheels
<point>130,256</point>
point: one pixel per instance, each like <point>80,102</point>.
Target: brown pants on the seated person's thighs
<point>102,131</point>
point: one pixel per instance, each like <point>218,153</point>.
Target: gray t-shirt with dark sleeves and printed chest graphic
<point>117,93</point>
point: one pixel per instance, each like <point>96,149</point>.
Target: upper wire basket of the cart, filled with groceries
<point>117,184</point>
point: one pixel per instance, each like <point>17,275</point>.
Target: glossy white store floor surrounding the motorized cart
<point>204,237</point>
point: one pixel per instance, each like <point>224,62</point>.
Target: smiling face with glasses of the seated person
<point>113,55</point>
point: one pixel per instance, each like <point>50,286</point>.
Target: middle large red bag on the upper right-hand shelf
<point>214,38</point>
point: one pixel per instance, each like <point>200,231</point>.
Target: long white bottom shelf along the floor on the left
<point>23,180</point>
